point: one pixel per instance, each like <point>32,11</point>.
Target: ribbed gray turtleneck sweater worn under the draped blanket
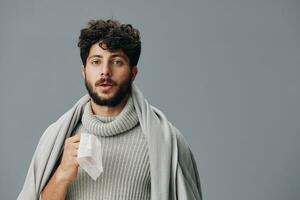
<point>126,167</point>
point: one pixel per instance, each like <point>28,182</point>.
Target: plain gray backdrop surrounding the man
<point>225,72</point>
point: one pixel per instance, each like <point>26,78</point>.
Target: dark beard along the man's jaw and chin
<point>123,89</point>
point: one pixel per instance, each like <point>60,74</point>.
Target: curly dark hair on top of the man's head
<point>114,35</point>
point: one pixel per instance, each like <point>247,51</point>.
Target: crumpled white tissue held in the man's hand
<point>89,155</point>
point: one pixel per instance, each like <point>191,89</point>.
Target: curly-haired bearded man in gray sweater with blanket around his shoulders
<point>144,156</point>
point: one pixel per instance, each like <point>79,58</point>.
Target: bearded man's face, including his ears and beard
<point>108,76</point>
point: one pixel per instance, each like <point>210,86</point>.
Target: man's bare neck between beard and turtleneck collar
<point>106,110</point>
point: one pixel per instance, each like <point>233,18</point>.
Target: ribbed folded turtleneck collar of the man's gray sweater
<point>109,125</point>
